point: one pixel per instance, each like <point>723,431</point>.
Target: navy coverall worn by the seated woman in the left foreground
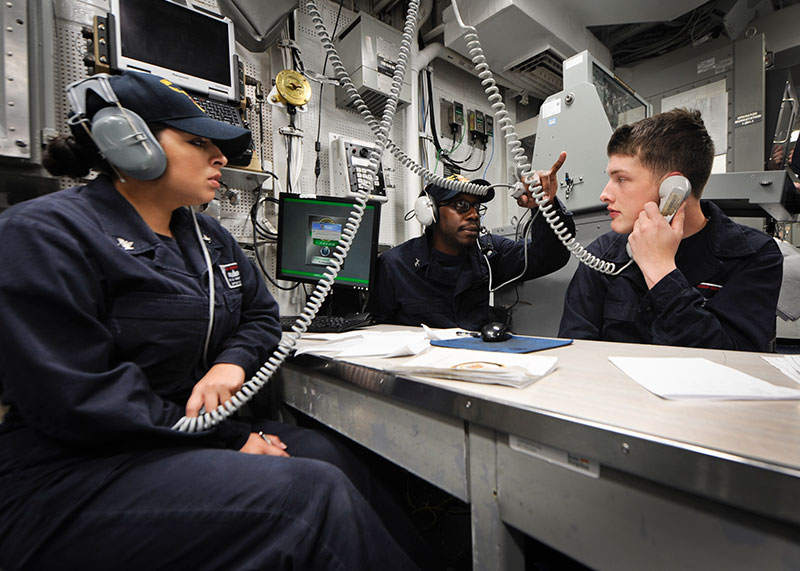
<point>103,325</point>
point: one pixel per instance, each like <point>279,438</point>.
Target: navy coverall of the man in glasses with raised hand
<point>416,284</point>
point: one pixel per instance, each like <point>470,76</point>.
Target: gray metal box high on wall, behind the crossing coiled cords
<point>368,49</point>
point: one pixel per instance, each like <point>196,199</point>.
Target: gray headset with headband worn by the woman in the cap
<point>121,135</point>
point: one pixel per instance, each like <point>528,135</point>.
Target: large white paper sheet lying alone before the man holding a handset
<point>698,379</point>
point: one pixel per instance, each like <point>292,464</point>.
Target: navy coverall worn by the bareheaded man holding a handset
<point>723,294</point>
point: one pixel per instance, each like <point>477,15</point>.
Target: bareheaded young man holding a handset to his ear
<point>700,280</point>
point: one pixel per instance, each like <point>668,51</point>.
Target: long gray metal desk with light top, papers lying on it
<point>678,485</point>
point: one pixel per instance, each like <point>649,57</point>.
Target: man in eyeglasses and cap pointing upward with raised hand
<point>443,278</point>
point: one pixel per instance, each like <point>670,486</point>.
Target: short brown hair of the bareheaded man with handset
<point>675,140</point>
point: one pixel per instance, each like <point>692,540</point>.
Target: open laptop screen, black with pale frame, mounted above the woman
<point>190,47</point>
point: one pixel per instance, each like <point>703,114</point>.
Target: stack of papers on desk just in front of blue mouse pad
<point>511,369</point>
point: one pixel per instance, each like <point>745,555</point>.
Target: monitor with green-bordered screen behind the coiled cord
<point>308,231</point>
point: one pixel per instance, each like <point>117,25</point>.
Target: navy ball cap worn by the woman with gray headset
<point>157,100</point>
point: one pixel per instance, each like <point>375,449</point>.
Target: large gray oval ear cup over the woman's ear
<point>126,142</point>
